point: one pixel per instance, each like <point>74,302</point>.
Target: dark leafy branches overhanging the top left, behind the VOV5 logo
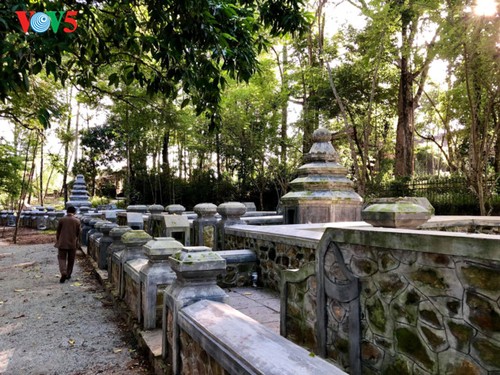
<point>159,43</point>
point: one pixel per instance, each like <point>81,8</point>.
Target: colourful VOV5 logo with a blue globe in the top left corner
<point>40,21</point>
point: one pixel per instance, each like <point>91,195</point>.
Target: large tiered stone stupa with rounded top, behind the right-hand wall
<point>321,193</point>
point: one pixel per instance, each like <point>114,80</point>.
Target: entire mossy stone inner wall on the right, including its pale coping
<point>383,301</point>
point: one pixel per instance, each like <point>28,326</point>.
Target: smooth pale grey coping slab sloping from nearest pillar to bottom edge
<point>244,346</point>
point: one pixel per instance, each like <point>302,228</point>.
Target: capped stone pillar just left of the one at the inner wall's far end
<point>205,225</point>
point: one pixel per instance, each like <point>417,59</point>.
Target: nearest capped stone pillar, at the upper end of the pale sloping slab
<point>196,269</point>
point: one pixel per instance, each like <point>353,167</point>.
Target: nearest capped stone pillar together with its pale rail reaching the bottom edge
<point>203,335</point>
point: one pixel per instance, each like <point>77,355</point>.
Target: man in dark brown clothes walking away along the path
<point>67,241</point>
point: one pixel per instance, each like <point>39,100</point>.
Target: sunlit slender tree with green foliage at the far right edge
<point>467,112</point>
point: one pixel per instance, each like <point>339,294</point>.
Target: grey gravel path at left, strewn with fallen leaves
<point>51,328</point>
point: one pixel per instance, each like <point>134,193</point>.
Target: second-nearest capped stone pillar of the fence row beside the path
<point>156,274</point>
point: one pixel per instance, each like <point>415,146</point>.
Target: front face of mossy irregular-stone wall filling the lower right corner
<point>428,301</point>
